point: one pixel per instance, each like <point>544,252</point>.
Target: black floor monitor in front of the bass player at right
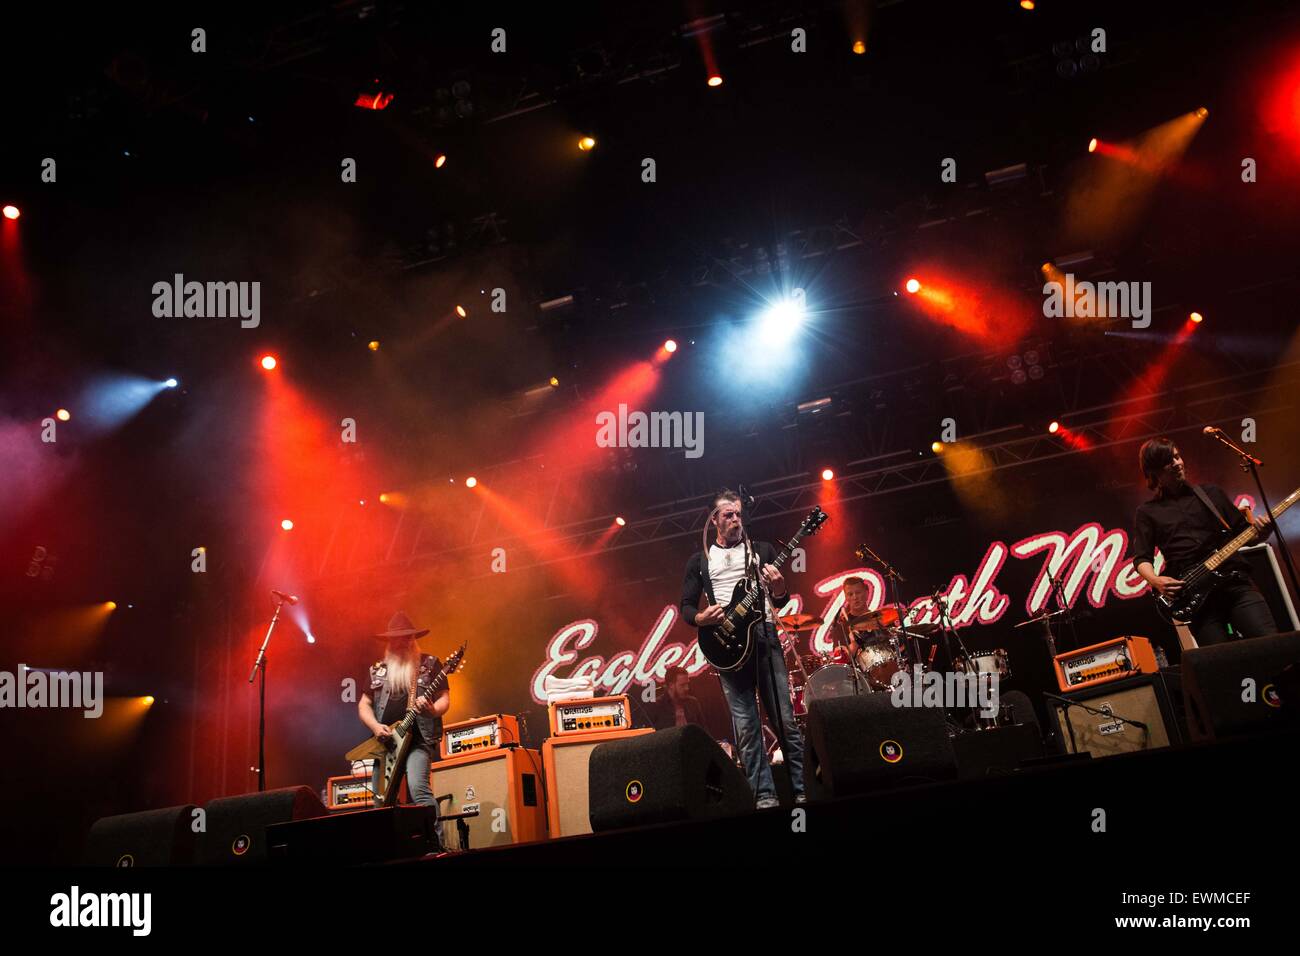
<point>1217,684</point>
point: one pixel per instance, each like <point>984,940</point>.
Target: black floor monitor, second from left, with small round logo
<point>237,827</point>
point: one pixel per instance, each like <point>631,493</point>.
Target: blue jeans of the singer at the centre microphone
<point>765,672</point>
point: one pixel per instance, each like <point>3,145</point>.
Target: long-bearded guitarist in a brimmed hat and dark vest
<point>402,674</point>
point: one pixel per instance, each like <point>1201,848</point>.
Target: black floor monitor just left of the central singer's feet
<point>665,777</point>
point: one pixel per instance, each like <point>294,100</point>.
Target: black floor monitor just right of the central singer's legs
<point>865,743</point>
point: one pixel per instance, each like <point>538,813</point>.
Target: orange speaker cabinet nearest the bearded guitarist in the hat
<point>504,786</point>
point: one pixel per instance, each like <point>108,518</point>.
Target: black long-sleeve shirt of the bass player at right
<point>1185,531</point>
